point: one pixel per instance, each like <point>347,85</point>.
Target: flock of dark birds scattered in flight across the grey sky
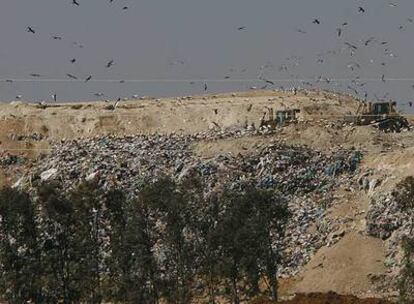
<point>356,85</point>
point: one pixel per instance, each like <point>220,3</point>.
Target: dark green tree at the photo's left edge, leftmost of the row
<point>19,248</point>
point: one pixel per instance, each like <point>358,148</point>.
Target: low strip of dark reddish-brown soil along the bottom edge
<point>328,298</point>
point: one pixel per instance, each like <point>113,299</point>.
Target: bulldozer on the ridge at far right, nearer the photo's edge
<point>383,115</point>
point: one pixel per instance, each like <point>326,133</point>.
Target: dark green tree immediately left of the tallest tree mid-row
<point>133,276</point>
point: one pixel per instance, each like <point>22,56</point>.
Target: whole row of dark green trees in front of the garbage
<point>171,242</point>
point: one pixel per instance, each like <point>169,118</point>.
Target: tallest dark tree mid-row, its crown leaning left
<point>169,205</point>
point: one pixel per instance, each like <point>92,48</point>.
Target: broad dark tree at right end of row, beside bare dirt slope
<point>250,223</point>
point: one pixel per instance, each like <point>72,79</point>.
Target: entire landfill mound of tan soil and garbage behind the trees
<point>337,160</point>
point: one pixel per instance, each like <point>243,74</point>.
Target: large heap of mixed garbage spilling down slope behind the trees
<point>304,176</point>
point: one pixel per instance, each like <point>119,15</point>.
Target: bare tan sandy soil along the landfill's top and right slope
<point>351,266</point>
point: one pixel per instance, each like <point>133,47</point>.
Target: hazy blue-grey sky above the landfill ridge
<point>178,41</point>
